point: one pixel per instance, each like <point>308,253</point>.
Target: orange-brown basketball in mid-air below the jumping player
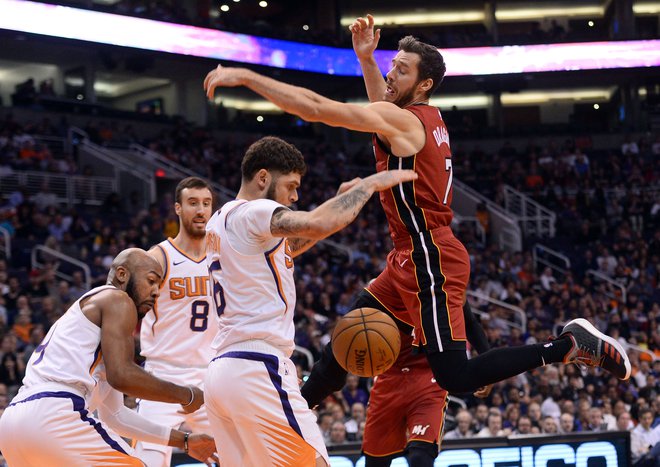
<point>366,342</point>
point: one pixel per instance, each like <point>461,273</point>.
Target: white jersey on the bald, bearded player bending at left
<point>70,353</point>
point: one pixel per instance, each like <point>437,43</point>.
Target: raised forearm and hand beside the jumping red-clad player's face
<point>365,42</point>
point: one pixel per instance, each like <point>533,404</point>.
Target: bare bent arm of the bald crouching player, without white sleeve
<point>118,320</point>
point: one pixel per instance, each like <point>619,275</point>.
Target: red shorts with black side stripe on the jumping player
<point>424,284</point>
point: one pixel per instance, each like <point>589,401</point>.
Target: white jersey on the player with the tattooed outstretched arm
<point>252,275</point>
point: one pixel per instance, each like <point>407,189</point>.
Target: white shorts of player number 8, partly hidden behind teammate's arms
<point>171,415</point>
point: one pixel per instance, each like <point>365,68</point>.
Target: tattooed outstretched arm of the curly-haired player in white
<point>336,213</point>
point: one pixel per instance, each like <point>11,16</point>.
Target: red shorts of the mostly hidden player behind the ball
<point>404,406</point>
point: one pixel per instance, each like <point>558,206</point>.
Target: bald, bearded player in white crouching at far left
<point>49,422</point>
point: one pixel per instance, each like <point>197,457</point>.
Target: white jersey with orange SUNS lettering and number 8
<point>181,327</point>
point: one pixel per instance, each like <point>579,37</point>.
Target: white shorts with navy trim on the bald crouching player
<point>54,428</point>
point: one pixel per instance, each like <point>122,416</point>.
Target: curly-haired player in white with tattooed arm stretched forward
<point>257,414</point>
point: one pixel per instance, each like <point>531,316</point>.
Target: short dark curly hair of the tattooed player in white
<point>273,154</point>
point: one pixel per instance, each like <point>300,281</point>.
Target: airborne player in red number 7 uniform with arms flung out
<point>427,273</point>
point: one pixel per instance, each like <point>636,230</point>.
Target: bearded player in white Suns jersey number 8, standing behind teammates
<point>176,337</point>
